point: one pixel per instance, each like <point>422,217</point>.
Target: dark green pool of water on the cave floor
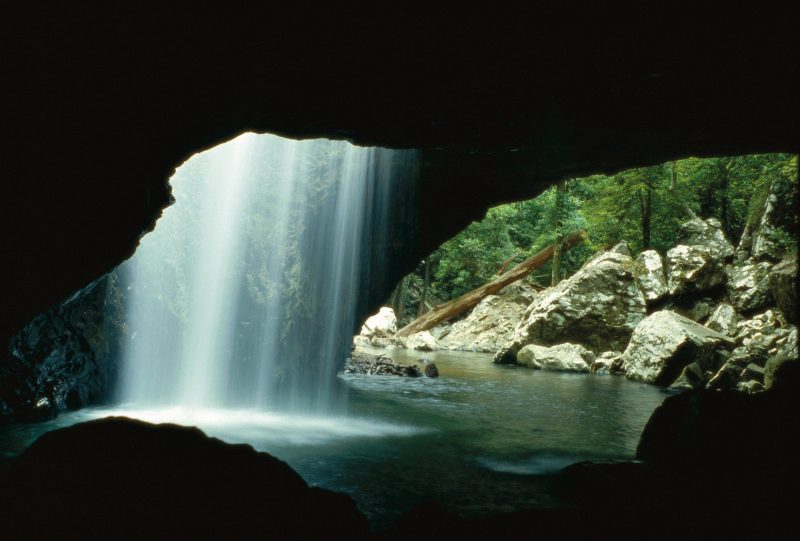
<point>481,438</point>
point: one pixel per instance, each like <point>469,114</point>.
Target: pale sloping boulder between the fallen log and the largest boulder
<point>491,323</point>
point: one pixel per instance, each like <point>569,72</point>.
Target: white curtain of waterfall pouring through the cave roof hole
<point>246,293</point>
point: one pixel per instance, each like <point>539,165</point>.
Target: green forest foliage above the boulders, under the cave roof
<point>623,207</point>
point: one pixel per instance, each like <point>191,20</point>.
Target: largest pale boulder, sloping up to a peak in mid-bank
<point>598,307</point>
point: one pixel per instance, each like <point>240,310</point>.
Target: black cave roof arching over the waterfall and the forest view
<point>102,102</point>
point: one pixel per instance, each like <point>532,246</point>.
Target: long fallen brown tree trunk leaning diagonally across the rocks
<point>449,310</point>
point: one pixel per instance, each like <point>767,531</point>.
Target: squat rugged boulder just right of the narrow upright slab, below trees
<point>693,268</point>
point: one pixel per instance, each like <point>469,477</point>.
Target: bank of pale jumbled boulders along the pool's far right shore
<point>703,315</point>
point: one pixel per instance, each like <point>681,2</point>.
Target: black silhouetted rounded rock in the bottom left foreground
<point>119,478</point>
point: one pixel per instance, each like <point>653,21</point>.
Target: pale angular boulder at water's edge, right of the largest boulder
<point>664,343</point>
